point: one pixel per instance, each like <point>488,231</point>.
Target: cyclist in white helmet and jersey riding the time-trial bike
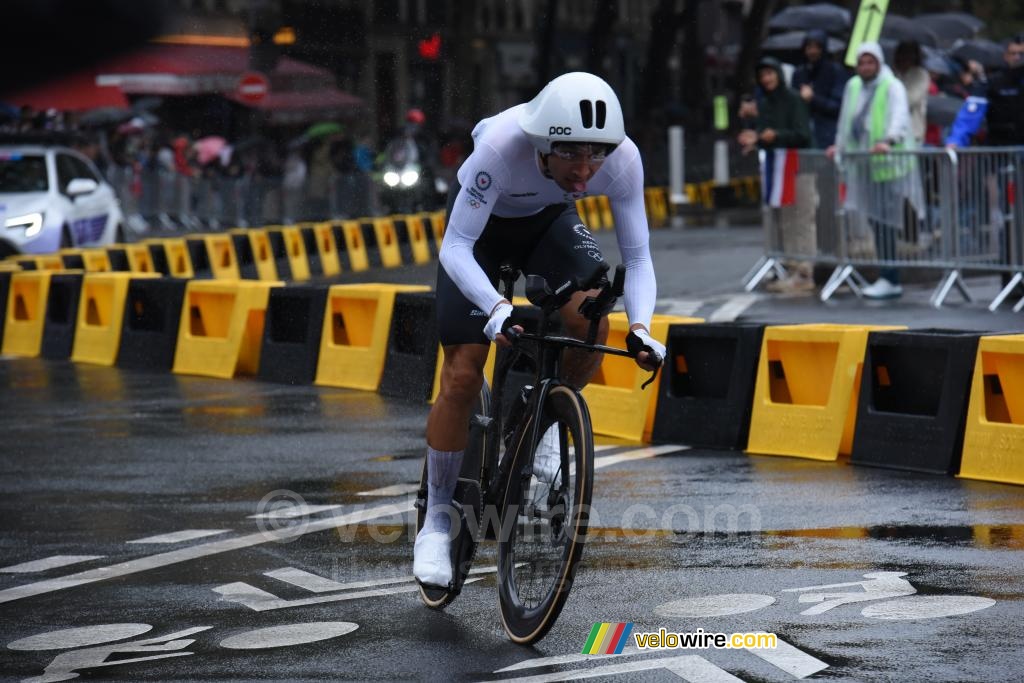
<point>516,203</point>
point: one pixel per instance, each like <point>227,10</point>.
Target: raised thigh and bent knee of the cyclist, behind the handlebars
<point>569,250</point>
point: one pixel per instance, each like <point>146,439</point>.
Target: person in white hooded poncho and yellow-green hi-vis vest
<point>875,118</point>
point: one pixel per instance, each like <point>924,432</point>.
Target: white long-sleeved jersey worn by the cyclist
<point>504,178</point>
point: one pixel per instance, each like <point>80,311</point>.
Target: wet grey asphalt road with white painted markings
<point>95,460</point>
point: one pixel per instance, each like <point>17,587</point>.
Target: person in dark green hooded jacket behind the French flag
<point>783,123</point>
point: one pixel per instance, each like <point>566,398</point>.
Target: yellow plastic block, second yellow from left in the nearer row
<point>101,315</point>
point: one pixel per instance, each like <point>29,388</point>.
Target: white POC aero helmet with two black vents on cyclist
<point>574,108</point>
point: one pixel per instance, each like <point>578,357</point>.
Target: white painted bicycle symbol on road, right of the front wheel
<point>892,596</point>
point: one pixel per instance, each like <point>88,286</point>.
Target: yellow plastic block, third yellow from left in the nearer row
<point>222,328</point>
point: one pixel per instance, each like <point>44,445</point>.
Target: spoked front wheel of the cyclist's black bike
<point>546,513</point>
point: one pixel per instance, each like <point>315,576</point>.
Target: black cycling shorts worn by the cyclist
<point>553,243</point>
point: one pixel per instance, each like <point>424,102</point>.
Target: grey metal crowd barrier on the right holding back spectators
<point>955,211</point>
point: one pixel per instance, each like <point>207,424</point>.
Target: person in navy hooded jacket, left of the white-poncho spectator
<point>820,82</point>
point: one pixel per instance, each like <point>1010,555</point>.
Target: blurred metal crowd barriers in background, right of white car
<point>172,201</point>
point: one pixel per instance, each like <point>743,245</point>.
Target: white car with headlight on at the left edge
<point>52,198</point>
